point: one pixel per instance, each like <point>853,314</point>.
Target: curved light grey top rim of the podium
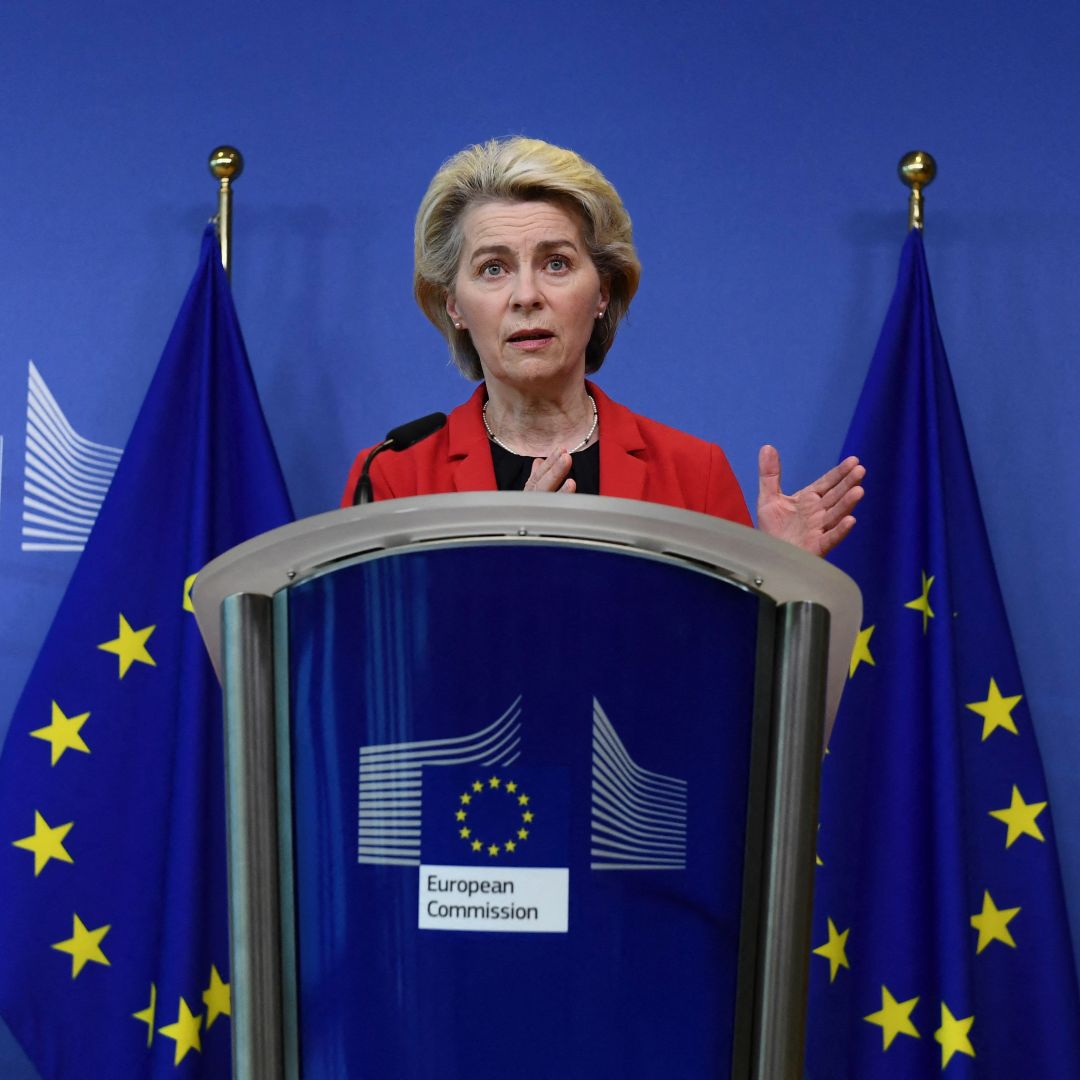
<point>749,559</point>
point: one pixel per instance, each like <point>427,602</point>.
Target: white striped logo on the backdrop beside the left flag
<point>66,476</point>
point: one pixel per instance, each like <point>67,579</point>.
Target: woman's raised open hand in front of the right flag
<point>816,519</point>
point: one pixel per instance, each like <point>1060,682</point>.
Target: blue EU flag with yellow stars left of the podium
<point>113,869</point>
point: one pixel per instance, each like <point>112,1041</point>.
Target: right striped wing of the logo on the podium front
<point>639,817</point>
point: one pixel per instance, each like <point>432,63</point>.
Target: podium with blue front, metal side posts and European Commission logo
<point>523,786</point>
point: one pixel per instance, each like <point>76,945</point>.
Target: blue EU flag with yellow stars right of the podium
<point>941,942</point>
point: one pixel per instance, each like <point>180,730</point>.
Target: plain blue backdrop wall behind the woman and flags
<point>755,145</point>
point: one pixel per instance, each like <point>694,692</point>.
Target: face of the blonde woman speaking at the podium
<point>529,293</point>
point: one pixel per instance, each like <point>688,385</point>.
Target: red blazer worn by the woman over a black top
<point>640,460</point>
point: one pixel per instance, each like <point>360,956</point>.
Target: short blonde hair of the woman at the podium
<point>521,170</point>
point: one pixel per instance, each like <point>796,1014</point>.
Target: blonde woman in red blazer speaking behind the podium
<point>525,263</point>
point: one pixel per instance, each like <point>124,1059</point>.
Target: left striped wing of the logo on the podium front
<point>390,785</point>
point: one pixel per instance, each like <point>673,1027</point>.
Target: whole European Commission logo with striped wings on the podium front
<point>491,834</point>
